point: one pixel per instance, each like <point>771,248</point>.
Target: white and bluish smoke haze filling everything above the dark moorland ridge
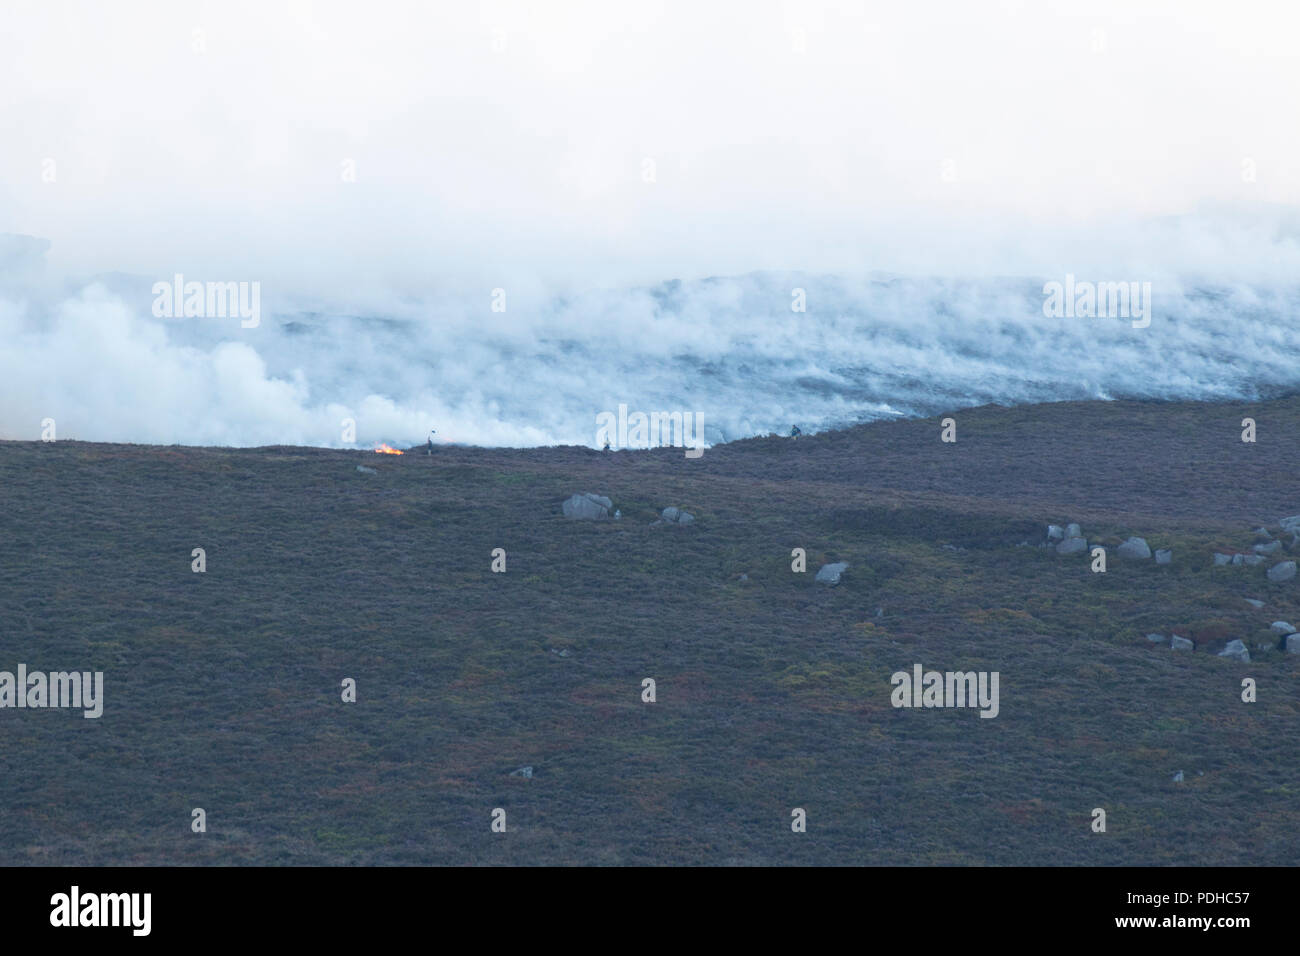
<point>647,187</point>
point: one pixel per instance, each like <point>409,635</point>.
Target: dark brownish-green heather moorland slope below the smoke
<point>223,689</point>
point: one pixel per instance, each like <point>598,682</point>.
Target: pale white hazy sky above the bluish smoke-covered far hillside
<point>510,137</point>
